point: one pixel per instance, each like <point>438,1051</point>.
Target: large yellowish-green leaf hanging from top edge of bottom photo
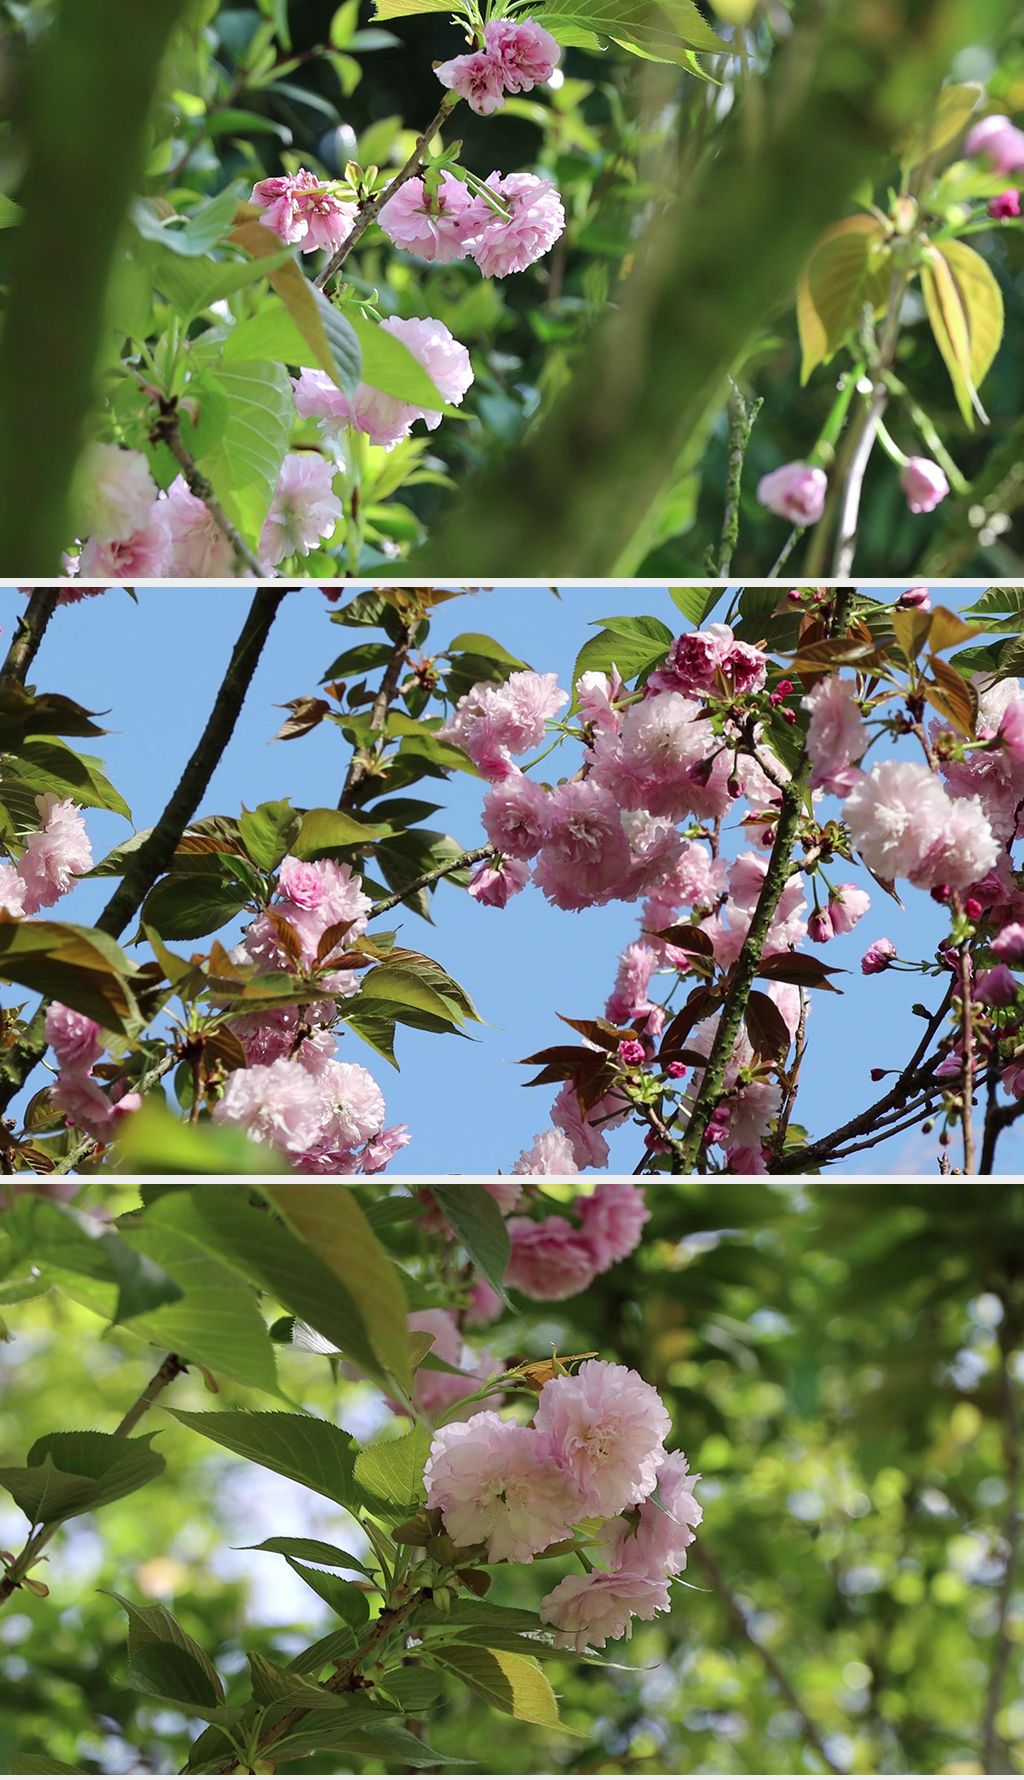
<point>329,1220</point>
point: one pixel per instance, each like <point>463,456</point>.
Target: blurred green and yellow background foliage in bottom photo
<point>843,1366</point>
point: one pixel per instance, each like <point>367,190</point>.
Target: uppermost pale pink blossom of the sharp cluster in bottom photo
<point>606,1430</point>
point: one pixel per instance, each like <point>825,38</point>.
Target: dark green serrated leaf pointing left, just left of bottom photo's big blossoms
<point>302,1448</point>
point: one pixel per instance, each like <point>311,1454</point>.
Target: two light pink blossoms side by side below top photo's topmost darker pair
<point>457,225</point>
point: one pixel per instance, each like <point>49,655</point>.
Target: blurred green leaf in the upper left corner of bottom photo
<point>58,1236</point>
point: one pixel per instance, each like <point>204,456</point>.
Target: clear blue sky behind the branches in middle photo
<point>156,665</point>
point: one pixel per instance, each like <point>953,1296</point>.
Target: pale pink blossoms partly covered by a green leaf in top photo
<point>384,417</point>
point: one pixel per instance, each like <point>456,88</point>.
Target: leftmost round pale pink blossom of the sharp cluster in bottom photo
<point>496,1485</point>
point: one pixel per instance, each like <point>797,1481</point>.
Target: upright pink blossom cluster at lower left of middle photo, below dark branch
<point>325,1115</point>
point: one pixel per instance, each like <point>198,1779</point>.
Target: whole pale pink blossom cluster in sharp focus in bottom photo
<point>594,1452</point>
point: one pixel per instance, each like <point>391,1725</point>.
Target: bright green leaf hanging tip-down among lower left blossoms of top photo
<point>247,460</point>
